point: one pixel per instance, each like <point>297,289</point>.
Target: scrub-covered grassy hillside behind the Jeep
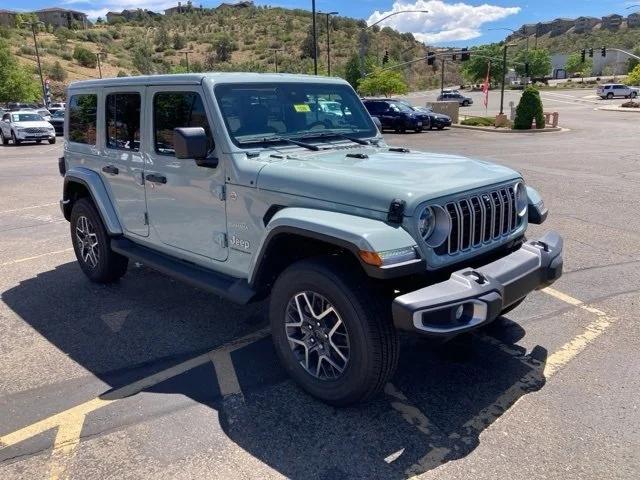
<point>238,39</point>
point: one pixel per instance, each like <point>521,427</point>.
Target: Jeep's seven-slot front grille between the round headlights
<point>480,219</point>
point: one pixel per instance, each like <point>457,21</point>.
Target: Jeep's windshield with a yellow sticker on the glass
<point>257,112</point>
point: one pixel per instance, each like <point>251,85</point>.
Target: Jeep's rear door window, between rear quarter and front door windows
<point>123,121</point>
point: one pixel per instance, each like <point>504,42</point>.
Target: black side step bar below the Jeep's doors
<point>234,289</point>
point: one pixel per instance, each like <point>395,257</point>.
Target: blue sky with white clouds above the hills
<point>452,23</point>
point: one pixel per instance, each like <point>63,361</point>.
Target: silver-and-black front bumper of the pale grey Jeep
<point>475,297</point>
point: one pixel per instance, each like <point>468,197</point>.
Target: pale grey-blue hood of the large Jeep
<point>383,176</point>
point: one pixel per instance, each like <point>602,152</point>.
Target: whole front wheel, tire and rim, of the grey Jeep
<point>332,333</point>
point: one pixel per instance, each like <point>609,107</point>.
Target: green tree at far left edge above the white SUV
<point>16,82</point>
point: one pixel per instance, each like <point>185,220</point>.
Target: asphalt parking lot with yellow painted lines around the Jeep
<point>149,378</point>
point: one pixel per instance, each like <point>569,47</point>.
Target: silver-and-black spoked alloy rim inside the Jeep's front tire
<point>317,336</point>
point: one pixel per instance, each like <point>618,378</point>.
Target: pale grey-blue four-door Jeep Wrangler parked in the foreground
<point>256,185</point>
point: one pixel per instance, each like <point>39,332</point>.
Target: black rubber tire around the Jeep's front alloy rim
<point>366,313</point>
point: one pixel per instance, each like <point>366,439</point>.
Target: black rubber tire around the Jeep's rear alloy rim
<point>109,265</point>
